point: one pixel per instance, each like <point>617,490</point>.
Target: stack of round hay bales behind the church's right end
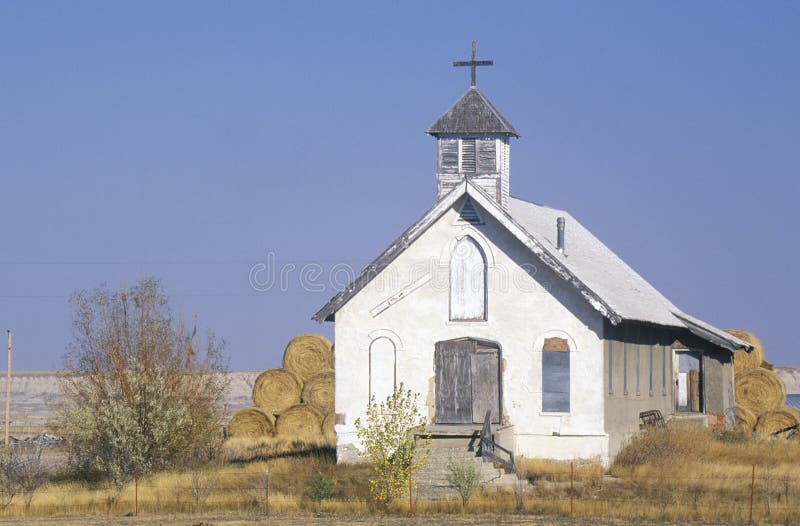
<point>760,393</point>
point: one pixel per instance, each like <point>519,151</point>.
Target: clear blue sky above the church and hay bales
<point>190,140</point>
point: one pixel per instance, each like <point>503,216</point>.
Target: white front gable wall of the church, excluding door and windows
<point>526,303</point>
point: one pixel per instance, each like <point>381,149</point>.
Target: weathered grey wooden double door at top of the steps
<point>468,381</point>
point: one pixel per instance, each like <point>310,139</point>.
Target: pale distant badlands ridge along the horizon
<point>30,391</point>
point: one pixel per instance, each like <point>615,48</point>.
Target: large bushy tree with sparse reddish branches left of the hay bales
<point>141,394</point>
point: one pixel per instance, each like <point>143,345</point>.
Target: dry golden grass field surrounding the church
<point>676,475</point>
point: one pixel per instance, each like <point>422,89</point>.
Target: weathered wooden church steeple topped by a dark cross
<point>473,142</point>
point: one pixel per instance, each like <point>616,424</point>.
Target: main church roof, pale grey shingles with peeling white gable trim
<point>609,285</point>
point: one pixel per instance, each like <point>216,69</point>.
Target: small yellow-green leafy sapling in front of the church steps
<point>388,437</point>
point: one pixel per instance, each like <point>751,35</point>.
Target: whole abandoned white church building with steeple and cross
<point>492,304</point>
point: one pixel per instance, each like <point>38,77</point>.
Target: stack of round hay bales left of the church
<point>296,400</point>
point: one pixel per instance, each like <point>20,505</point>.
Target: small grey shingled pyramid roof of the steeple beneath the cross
<point>472,114</point>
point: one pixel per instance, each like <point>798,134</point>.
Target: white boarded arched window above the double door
<point>467,281</point>
